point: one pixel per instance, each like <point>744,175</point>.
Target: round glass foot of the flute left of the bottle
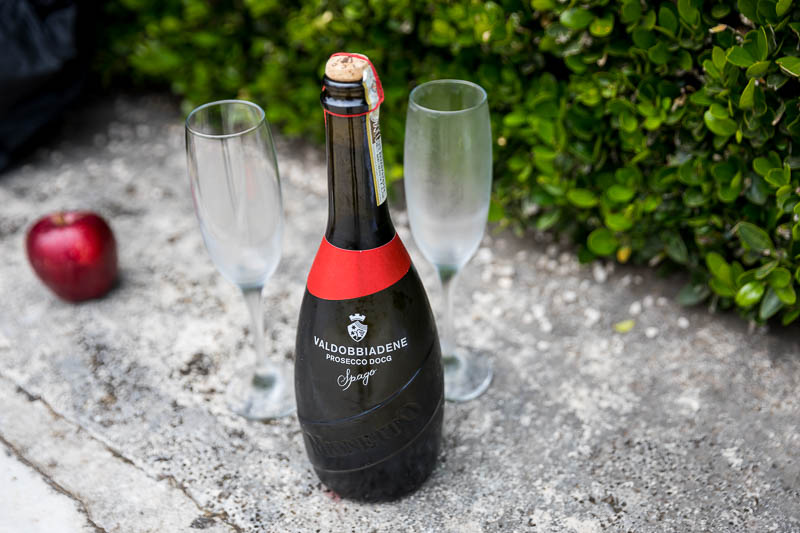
<point>262,395</point>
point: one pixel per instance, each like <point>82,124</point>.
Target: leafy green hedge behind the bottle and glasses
<point>664,133</point>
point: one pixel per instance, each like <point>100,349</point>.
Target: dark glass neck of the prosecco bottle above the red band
<point>356,221</point>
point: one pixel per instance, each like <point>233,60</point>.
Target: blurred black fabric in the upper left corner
<point>41,71</point>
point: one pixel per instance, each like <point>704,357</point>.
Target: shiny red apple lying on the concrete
<point>74,253</point>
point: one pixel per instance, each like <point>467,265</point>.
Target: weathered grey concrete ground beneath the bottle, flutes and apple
<point>689,422</point>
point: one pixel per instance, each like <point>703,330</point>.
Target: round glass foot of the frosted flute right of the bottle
<point>466,375</point>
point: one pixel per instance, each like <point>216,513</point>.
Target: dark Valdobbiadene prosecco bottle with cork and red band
<point>368,373</point>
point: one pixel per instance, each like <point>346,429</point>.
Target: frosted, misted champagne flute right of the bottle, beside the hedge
<point>448,177</point>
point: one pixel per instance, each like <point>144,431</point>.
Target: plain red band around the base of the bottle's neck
<point>339,274</point>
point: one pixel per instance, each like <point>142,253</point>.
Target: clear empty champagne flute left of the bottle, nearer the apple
<point>236,190</point>
